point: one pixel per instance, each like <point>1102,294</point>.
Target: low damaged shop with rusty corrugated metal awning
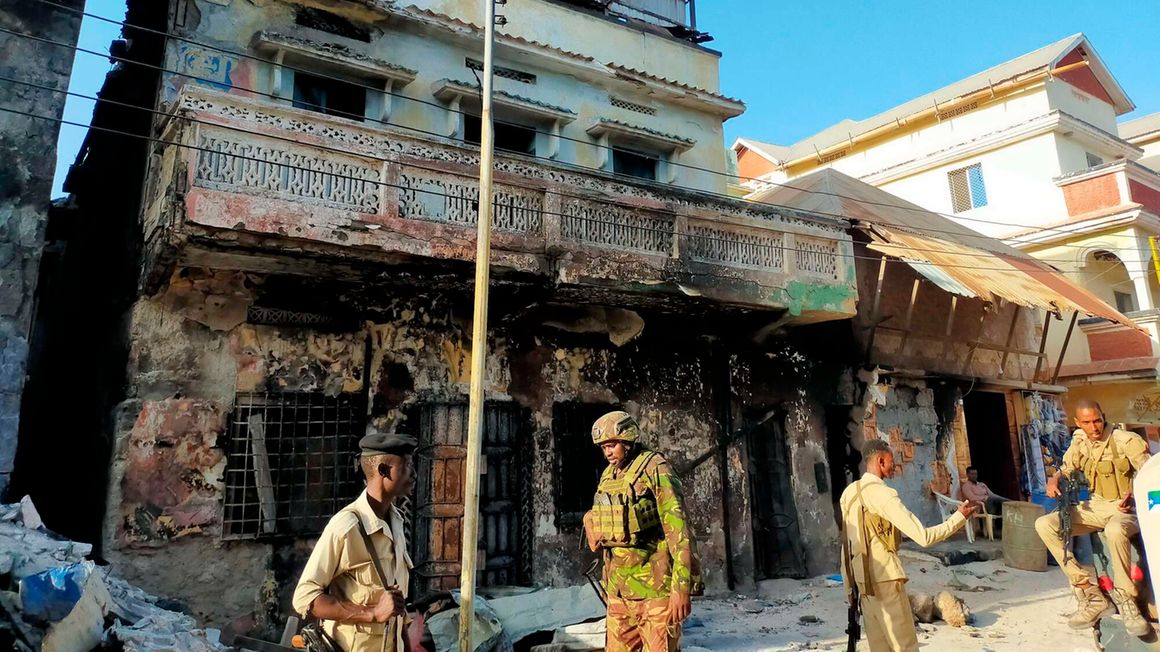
<point>951,363</point>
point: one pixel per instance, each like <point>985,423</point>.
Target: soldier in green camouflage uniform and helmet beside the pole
<point>639,524</point>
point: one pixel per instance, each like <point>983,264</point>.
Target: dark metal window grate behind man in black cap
<point>292,462</point>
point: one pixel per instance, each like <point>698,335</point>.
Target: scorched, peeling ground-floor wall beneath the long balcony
<point>197,351</point>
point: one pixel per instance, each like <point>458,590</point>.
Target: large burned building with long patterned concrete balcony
<point>294,218</point>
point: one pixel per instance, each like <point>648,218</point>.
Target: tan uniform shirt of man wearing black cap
<point>340,566</point>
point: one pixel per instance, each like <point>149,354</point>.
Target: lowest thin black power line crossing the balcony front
<point>382,184</point>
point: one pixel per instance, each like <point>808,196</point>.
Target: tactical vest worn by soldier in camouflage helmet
<point>620,517</point>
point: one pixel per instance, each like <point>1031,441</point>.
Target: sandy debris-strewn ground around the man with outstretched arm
<point>1017,611</point>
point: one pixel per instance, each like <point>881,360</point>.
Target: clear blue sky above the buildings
<point>802,67</point>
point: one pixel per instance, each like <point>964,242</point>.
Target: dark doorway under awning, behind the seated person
<point>989,436</point>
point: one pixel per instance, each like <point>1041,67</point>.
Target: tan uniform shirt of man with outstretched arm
<point>878,498</point>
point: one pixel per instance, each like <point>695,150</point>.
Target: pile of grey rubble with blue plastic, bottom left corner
<point>54,599</point>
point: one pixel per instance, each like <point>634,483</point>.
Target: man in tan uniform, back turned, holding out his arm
<point>874,520</point>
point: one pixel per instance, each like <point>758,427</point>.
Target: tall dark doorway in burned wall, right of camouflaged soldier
<point>777,537</point>
